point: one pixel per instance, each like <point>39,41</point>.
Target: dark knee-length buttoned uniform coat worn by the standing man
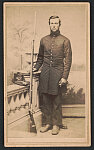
<point>56,56</point>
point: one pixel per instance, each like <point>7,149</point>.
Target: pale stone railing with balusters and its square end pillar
<point>19,102</point>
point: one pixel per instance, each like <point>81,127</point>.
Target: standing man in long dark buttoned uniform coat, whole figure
<point>56,56</point>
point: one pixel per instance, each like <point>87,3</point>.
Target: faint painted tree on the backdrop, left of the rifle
<point>20,39</point>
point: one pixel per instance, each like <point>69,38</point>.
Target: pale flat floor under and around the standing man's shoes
<point>75,129</point>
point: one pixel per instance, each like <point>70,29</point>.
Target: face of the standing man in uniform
<point>54,24</point>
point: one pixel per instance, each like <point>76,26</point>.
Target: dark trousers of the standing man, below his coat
<point>51,109</point>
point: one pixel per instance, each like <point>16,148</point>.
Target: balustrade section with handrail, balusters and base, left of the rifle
<point>18,102</point>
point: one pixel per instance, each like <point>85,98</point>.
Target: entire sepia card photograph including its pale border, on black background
<point>47,74</point>
